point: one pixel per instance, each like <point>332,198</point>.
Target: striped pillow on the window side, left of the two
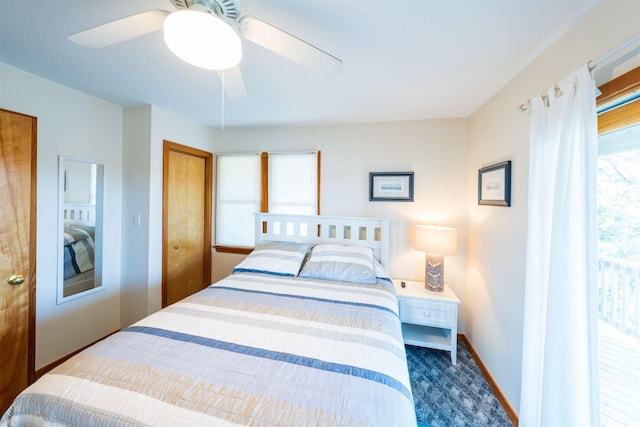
<point>279,258</point>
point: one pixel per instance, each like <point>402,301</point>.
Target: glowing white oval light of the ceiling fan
<point>202,39</point>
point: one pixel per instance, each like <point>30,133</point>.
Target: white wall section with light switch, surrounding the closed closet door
<point>144,132</point>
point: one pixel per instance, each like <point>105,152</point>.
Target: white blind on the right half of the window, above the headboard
<point>293,183</point>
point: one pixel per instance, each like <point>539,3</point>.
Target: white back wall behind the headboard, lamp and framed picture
<point>435,150</point>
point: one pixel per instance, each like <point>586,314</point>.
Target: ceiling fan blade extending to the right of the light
<point>289,46</point>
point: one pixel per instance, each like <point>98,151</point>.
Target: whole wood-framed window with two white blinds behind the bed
<point>287,182</point>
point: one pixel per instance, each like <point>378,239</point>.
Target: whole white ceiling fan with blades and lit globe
<point>206,33</point>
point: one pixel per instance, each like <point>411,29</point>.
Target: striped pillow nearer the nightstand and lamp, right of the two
<point>342,263</point>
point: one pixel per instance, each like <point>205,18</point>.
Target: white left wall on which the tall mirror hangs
<point>75,124</point>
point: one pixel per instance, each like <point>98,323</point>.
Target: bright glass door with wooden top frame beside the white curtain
<point>618,179</point>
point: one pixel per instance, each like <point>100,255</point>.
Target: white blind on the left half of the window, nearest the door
<point>238,198</point>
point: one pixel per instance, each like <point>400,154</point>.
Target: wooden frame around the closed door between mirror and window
<point>208,162</point>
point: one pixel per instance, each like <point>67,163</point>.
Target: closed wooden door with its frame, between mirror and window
<point>186,245</point>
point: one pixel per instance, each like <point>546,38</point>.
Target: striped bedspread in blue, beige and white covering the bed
<point>253,349</point>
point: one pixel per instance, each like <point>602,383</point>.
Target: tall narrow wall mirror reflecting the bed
<point>80,227</point>
